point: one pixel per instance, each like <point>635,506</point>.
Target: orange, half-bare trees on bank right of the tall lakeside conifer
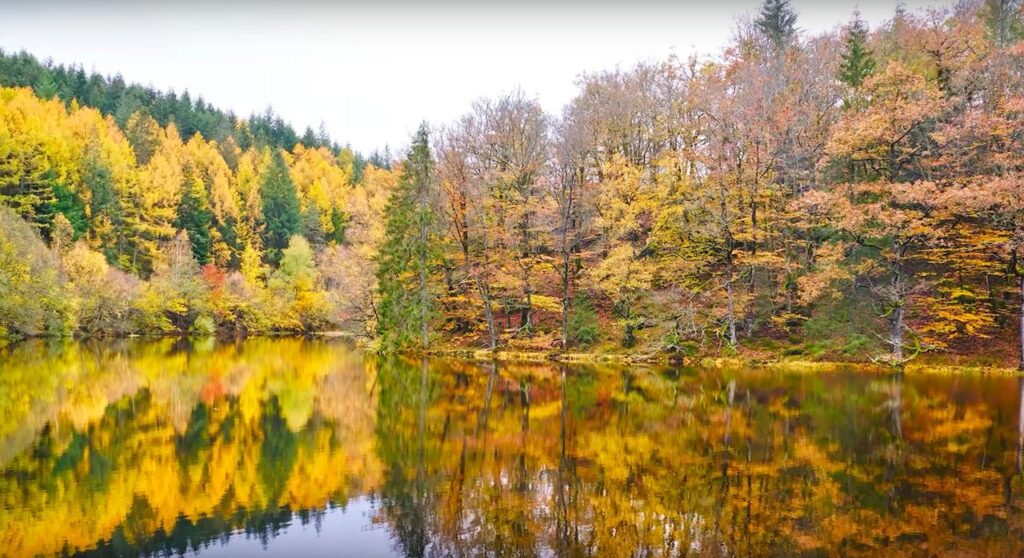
<point>852,194</point>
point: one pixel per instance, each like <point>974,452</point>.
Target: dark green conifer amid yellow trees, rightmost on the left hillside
<point>282,213</point>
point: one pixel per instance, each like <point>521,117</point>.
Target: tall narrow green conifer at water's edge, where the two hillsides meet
<point>403,266</point>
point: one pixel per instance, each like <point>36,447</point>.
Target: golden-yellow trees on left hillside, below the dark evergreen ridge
<point>114,230</point>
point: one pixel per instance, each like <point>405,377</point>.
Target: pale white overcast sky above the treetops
<point>372,71</point>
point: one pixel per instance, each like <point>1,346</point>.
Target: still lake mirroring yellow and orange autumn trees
<point>291,448</point>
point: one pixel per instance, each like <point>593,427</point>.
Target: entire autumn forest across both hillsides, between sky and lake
<point>857,195</point>
